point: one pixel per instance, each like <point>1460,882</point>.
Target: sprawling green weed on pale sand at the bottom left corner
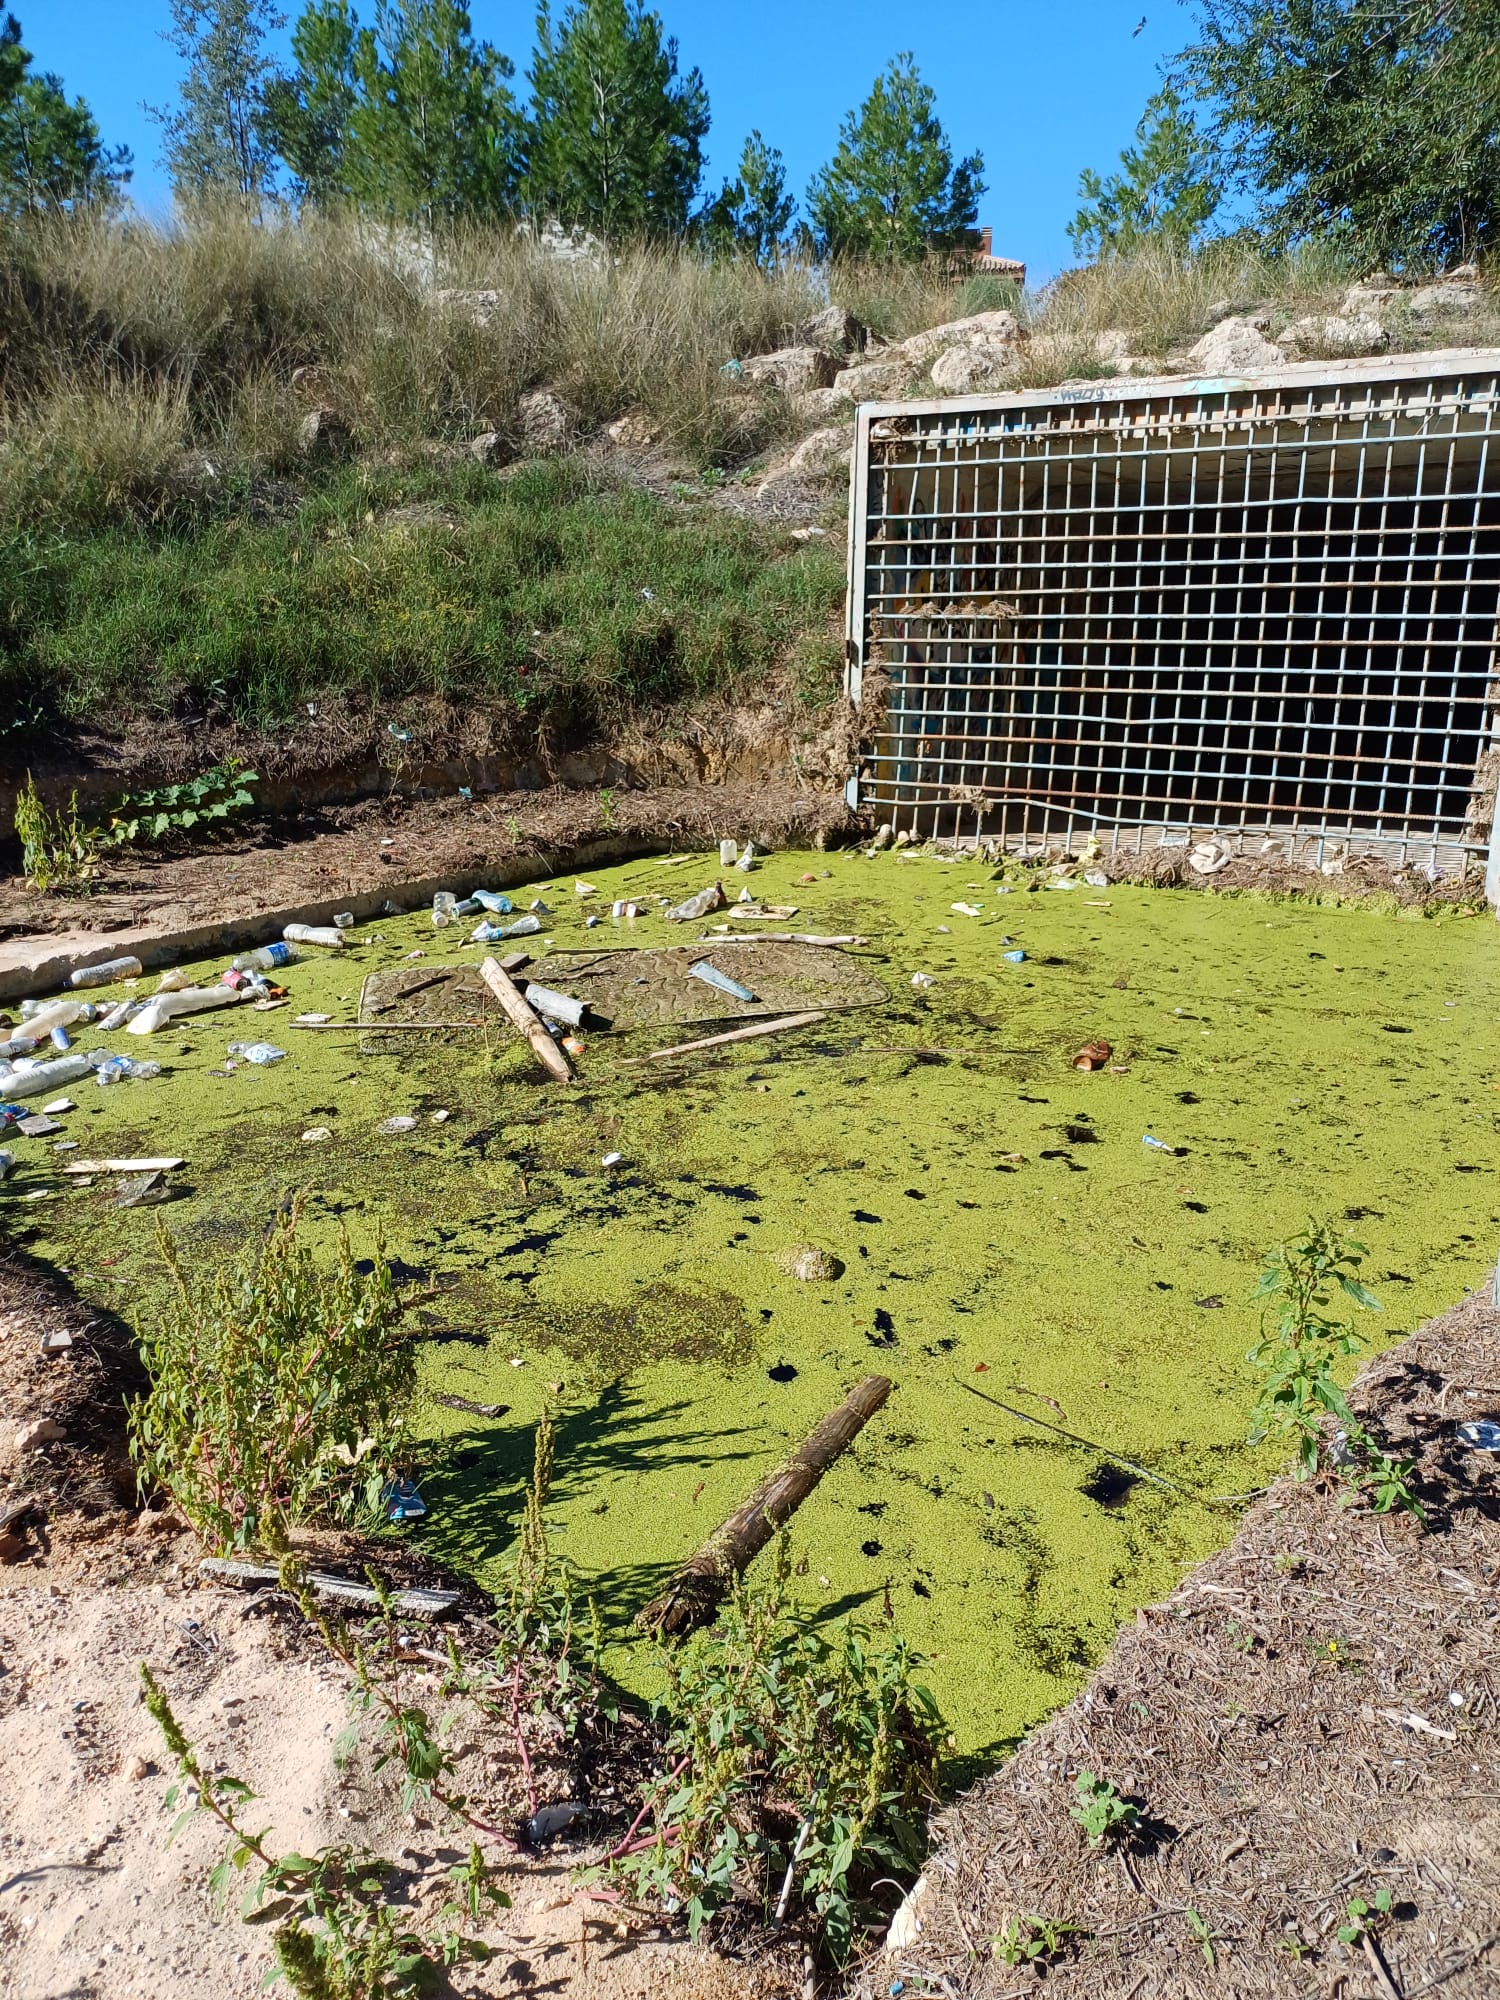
<point>335,1929</point>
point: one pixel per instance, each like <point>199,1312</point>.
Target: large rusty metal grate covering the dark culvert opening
<point>1149,609</point>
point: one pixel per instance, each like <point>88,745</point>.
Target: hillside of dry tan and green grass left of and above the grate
<point>169,545</point>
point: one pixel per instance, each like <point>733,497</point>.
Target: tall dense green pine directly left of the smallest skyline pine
<point>617,135</point>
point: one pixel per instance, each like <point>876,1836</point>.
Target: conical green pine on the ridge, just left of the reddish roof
<point>893,189</point>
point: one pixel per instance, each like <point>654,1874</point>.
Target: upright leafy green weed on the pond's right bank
<point>1297,1361</point>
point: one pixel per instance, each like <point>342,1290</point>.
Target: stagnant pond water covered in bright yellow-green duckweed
<point>1301,1061</point>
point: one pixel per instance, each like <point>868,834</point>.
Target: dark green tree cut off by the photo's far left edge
<point>51,151</point>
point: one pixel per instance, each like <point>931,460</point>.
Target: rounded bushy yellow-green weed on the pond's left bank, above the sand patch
<point>279,1391</point>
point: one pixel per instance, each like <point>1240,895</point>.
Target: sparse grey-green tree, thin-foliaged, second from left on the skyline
<point>215,141</point>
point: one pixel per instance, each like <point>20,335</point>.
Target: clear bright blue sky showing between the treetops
<point>1041,91</point>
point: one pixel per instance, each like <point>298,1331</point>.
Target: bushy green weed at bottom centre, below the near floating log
<point>799,1767</point>
